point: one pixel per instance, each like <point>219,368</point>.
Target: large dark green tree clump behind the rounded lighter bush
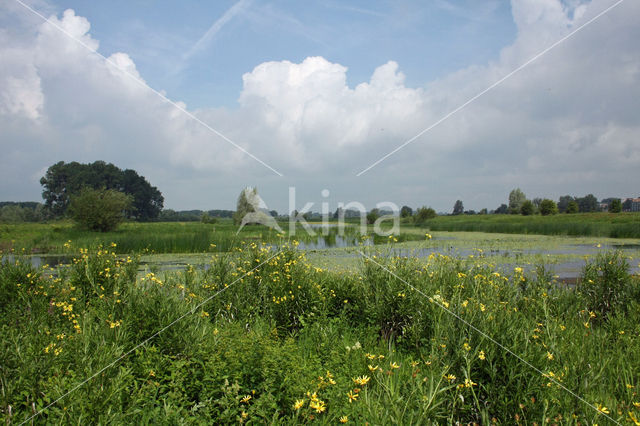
<point>63,180</point>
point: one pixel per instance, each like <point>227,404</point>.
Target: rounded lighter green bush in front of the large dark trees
<point>99,209</point>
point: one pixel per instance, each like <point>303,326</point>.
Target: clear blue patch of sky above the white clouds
<point>429,40</point>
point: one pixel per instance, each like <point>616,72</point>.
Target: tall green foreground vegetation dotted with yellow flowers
<point>264,337</point>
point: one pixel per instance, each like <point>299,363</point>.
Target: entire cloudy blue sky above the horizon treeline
<point>410,102</point>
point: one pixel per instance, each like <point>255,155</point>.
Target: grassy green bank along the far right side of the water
<point>621,225</point>
